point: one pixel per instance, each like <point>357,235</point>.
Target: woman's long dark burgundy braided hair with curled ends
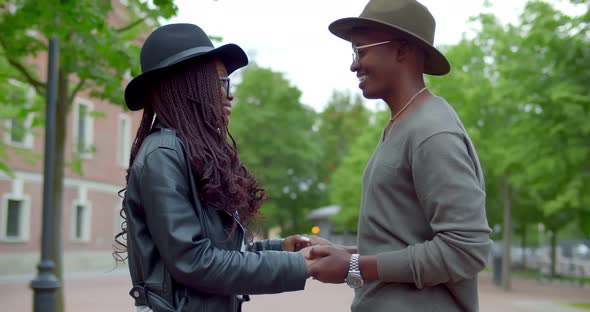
<point>189,100</point>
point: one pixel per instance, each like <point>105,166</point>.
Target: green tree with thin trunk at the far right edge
<point>556,46</point>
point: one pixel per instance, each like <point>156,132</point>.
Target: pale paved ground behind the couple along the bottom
<point>99,292</point>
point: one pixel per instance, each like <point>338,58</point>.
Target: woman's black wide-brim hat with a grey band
<point>171,45</point>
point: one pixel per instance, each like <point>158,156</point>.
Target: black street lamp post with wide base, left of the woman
<point>45,284</point>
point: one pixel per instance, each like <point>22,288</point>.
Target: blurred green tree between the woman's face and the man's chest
<point>274,132</point>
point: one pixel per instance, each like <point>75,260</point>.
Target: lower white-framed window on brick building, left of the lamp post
<point>15,219</point>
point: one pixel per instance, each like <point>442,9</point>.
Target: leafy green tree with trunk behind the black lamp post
<point>96,52</point>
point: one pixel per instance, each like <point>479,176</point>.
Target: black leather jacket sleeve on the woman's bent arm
<point>189,255</point>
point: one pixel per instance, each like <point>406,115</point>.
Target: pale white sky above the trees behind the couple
<point>292,37</point>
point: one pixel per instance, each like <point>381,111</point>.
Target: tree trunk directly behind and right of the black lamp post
<point>58,181</point>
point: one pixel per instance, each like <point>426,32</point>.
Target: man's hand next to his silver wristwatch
<point>331,265</point>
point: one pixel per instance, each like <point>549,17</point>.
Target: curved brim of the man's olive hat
<point>435,64</point>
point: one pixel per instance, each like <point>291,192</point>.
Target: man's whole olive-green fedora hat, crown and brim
<point>408,17</point>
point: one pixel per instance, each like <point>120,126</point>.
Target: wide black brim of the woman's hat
<point>232,56</point>
